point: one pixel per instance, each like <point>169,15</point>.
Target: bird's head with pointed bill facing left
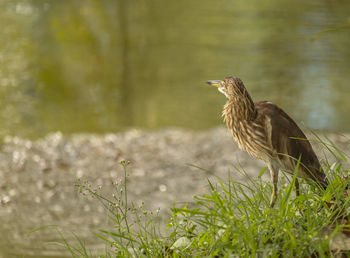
<point>230,86</point>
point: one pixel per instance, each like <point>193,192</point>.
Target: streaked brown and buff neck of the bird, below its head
<point>239,108</point>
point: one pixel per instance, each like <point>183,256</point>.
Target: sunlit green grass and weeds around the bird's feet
<point>232,220</point>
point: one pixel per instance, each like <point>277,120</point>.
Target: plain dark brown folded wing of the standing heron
<point>287,140</point>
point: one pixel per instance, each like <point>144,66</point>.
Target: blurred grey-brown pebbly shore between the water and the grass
<point>37,179</point>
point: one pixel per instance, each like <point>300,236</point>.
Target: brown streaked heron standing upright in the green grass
<point>268,133</point>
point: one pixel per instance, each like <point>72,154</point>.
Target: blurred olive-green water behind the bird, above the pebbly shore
<point>108,65</point>
